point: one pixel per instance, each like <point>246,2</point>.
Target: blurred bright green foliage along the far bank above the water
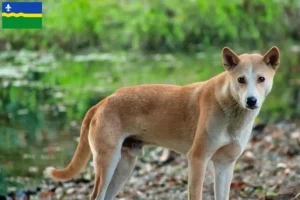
<point>158,25</point>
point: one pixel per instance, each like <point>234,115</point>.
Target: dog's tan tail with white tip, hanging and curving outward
<point>81,156</point>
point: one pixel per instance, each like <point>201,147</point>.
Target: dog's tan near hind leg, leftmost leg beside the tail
<point>105,142</point>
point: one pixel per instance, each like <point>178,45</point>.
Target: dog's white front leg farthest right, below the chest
<point>223,176</point>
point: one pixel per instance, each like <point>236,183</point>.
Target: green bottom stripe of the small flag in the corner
<point>21,22</point>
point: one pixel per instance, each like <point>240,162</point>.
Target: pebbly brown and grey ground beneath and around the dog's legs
<point>269,169</point>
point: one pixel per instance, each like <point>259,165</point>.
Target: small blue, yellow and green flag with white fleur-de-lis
<point>18,15</point>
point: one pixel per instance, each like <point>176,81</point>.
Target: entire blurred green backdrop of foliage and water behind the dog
<point>87,49</point>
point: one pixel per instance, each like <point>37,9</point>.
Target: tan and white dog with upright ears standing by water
<point>210,120</point>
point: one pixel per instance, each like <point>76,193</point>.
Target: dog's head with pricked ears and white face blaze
<point>251,75</point>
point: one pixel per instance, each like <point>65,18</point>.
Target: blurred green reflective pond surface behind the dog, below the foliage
<point>44,97</point>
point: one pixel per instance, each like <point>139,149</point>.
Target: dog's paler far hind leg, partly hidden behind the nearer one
<point>121,174</point>
